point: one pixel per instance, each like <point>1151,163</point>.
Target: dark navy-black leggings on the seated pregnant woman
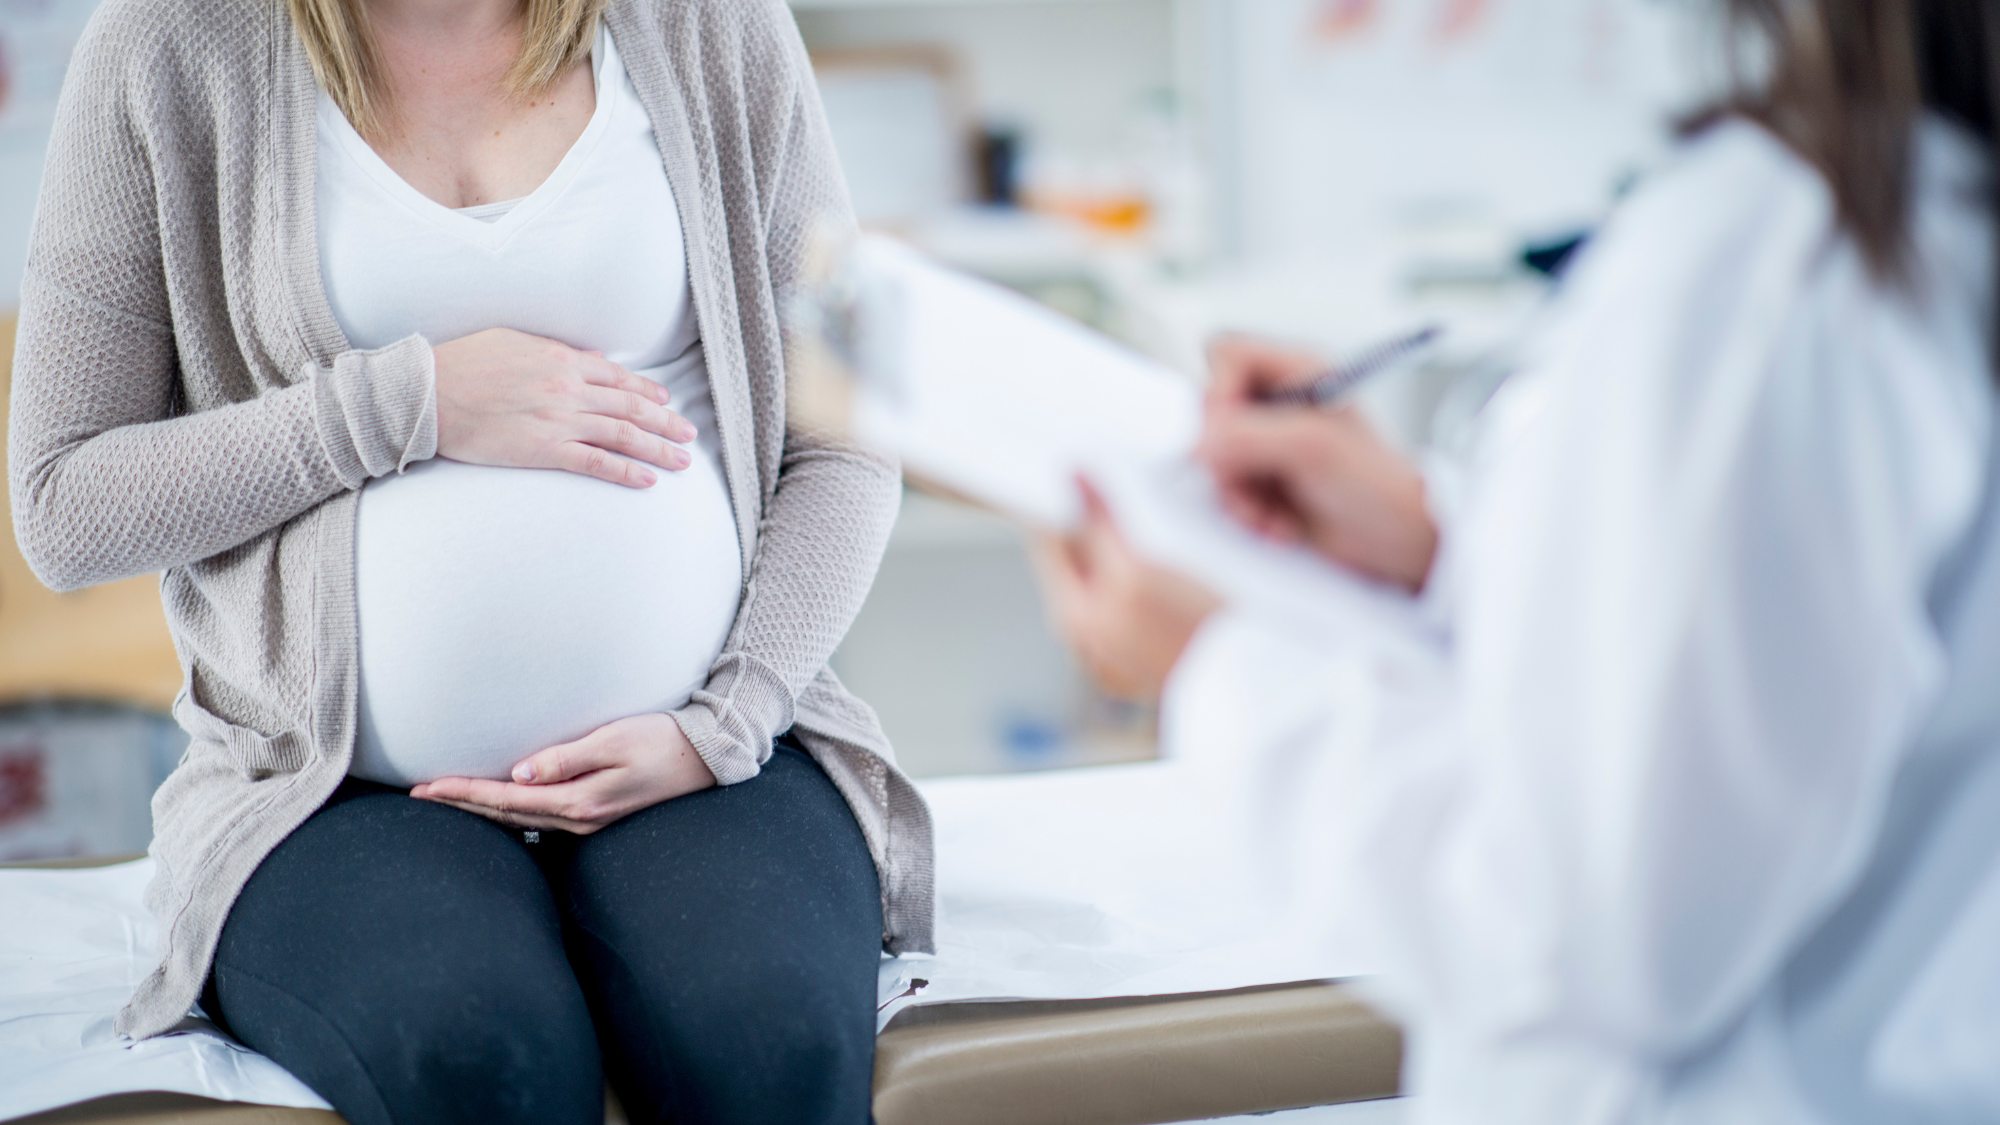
<point>419,964</point>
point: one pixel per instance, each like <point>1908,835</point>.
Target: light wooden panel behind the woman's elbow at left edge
<point>107,644</point>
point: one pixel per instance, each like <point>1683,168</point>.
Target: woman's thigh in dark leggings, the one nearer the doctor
<point>729,942</point>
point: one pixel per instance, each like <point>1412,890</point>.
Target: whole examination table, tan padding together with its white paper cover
<point>1145,982</point>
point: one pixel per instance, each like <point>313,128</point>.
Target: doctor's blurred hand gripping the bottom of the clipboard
<point>1127,620</point>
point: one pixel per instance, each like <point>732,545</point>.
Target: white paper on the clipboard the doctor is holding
<point>993,395</point>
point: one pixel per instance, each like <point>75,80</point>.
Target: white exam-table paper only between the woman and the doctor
<point>1109,882</point>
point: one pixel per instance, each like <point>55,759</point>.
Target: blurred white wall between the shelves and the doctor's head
<point>1527,117</point>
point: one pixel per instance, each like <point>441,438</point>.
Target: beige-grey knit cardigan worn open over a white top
<point>185,401</point>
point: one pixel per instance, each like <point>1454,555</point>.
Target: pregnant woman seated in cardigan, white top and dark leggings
<point>431,349</point>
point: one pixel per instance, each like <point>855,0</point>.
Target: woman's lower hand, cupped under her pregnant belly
<point>579,788</point>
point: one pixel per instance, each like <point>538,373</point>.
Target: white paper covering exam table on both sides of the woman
<point>1055,886</point>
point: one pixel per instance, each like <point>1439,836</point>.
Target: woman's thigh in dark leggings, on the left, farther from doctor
<point>407,962</point>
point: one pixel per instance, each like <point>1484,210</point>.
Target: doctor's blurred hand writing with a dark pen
<point>1311,475</point>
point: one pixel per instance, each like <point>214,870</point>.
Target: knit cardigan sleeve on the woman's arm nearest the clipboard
<point>827,523</point>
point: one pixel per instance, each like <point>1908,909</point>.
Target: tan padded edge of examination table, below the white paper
<point>1071,1062</point>
